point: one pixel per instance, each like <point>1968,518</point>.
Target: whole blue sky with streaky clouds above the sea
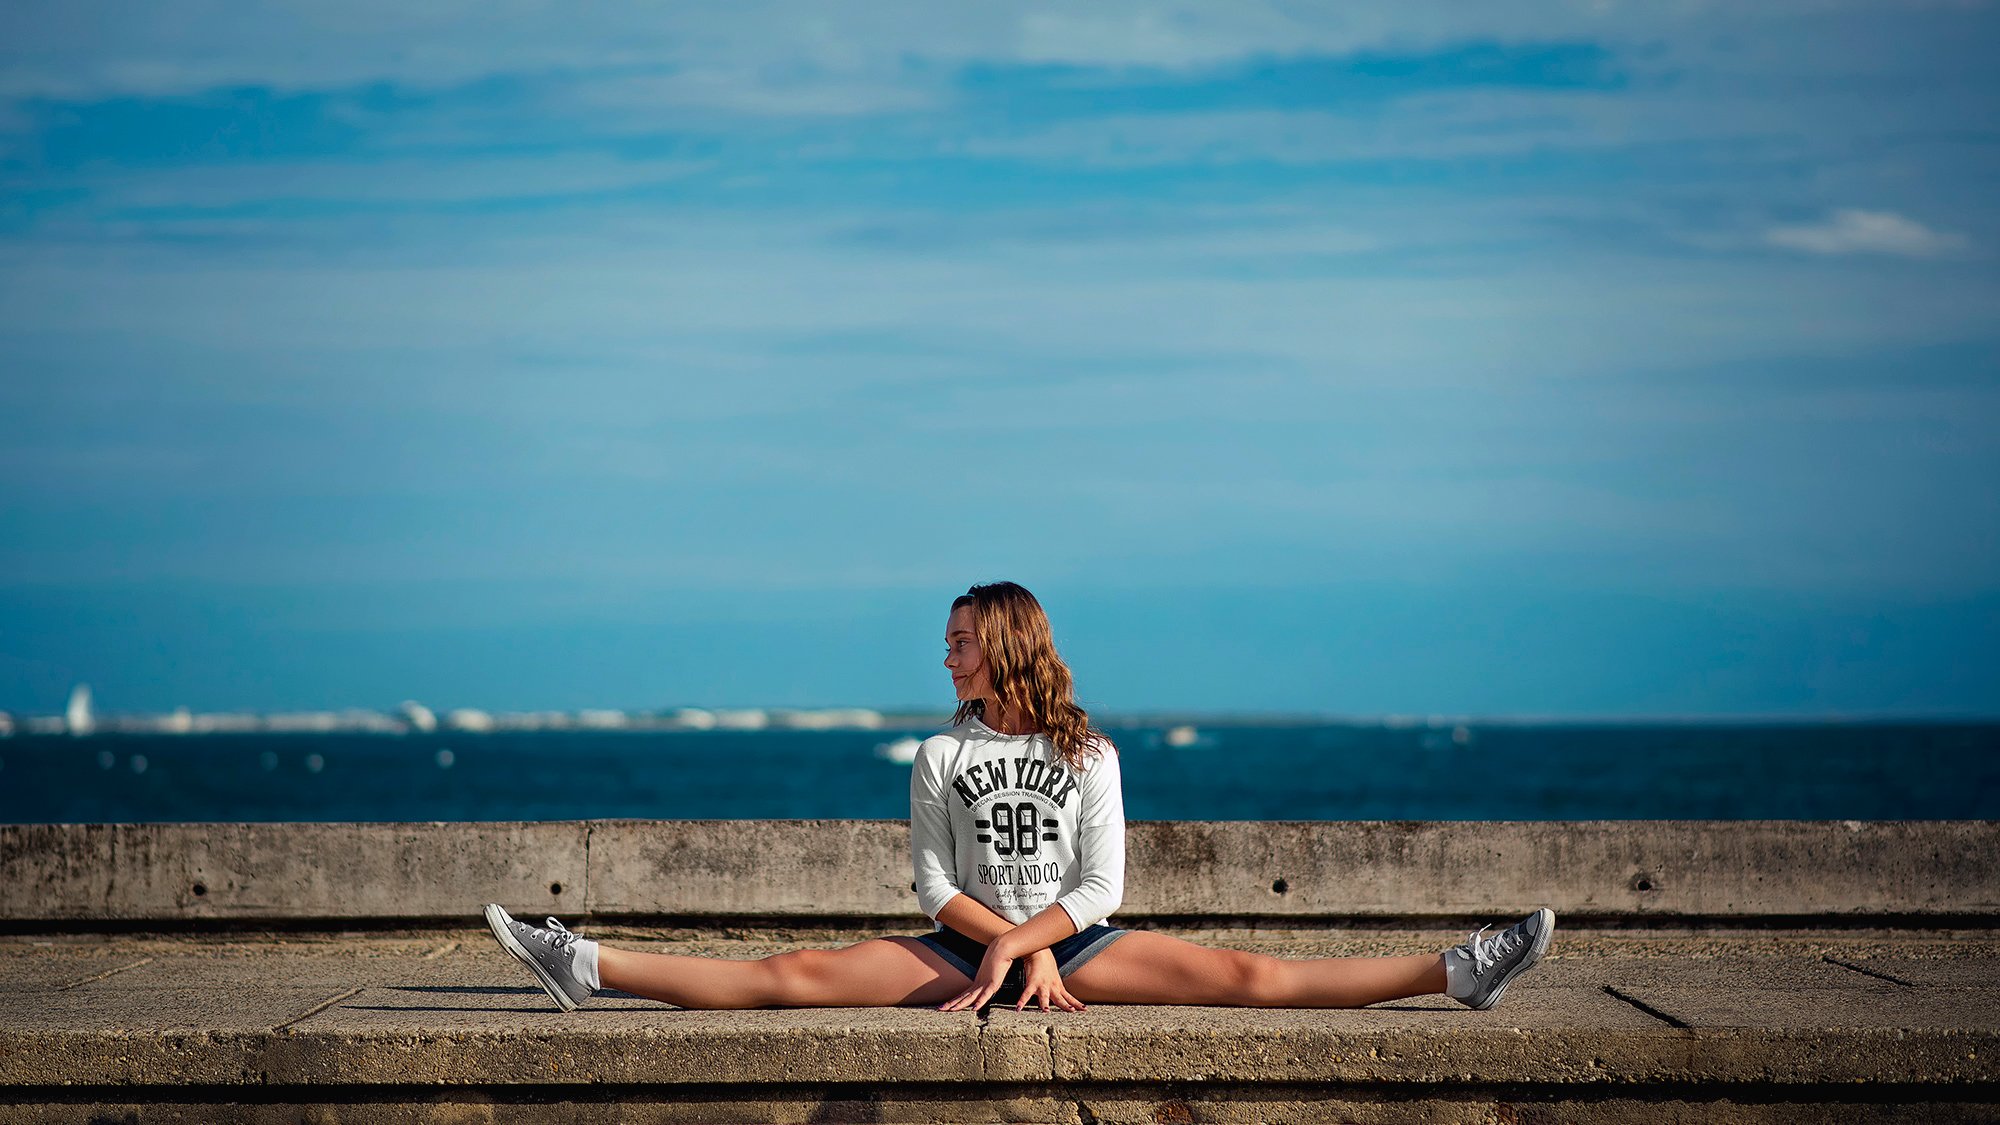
<point>1499,359</point>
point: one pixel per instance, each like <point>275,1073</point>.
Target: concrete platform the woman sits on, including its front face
<point>1615,1026</point>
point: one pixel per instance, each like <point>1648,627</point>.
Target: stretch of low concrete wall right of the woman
<point>1579,868</point>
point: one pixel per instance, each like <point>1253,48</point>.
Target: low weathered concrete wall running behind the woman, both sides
<point>861,870</point>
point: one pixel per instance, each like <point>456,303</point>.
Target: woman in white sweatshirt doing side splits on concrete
<point>1017,836</point>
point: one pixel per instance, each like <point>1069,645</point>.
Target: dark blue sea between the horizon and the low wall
<point>1187,772</point>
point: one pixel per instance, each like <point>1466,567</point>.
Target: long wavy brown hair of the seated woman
<point>1029,674</point>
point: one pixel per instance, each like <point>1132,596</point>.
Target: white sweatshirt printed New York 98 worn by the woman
<point>1003,820</point>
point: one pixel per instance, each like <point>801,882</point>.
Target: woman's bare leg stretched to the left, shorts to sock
<point>881,972</point>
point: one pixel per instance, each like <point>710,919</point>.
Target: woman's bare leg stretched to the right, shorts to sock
<point>1157,970</point>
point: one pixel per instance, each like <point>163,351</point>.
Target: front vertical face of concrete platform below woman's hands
<point>741,1052</point>
